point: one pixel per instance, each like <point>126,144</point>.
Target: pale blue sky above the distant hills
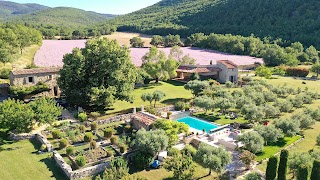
<point>101,6</point>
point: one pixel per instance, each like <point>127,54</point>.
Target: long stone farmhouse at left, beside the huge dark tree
<point>30,77</point>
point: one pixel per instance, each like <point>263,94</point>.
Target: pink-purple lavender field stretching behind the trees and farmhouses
<point>52,51</point>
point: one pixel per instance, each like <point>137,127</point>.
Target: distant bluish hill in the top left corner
<point>9,9</point>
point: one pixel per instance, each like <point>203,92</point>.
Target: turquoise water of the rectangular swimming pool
<point>197,123</point>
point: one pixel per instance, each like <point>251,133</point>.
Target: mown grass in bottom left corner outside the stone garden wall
<point>19,160</point>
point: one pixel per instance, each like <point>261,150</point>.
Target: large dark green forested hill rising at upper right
<point>295,20</point>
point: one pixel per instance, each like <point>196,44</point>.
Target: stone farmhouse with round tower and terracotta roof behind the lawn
<point>223,71</point>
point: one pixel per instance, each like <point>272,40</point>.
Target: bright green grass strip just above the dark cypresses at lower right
<point>270,150</point>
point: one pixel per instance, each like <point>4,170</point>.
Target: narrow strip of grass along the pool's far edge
<point>222,120</point>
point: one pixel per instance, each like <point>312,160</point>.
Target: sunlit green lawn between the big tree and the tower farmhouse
<point>174,92</point>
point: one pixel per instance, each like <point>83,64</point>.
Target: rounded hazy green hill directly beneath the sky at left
<point>62,16</point>
